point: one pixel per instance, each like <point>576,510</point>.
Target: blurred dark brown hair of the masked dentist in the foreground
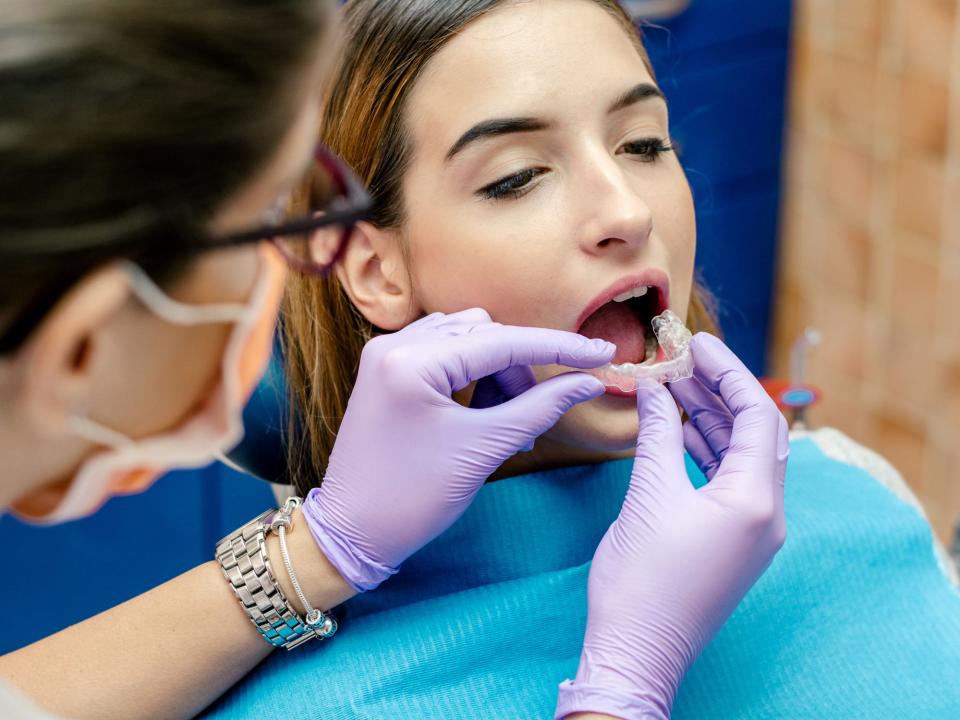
<point>125,125</point>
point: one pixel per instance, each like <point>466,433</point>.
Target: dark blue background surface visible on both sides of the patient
<point>723,71</point>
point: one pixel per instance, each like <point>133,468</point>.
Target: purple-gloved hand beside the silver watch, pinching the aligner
<point>408,459</point>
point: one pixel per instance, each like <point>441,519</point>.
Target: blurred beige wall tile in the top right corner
<point>927,27</point>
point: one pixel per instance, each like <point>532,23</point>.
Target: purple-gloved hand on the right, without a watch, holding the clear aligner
<point>677,560</point>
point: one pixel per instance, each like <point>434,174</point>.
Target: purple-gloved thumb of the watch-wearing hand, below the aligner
<point>522,420</point>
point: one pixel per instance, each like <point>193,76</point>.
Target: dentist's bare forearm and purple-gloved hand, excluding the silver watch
<point>406,463</point>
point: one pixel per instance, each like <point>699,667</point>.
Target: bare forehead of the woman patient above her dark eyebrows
<point>556,59</point>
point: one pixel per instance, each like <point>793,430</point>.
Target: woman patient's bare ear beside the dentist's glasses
<point>374,276</point>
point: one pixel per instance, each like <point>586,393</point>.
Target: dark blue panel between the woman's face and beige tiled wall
<point>723,67</point>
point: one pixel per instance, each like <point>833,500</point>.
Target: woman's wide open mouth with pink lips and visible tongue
<point>624,319</point>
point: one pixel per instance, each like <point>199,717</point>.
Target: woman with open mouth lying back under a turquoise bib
<point>521,162</point>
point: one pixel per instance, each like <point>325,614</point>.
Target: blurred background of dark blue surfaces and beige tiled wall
<point>818,140</point>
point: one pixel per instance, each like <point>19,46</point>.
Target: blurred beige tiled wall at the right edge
<point>871,230</point>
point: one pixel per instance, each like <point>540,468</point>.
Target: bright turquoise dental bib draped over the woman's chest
<point>854,618</point>
